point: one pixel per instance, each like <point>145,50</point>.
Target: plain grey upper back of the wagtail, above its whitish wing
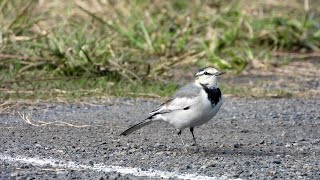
<point>190,90</point>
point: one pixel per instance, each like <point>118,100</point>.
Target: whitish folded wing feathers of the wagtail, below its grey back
<point>175,104</point>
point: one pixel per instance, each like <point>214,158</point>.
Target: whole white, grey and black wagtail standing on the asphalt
<point>192,105</point>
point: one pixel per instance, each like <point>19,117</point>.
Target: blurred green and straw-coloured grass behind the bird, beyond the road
<point>73,49</point>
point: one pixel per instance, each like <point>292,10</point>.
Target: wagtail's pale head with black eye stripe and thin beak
<point>208,76</point>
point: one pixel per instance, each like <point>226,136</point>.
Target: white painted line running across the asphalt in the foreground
<point>55,163</point>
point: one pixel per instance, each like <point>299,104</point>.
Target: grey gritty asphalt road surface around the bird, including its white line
<point>248,139</point>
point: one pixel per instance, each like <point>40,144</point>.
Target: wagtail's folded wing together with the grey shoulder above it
<point>182,100</point>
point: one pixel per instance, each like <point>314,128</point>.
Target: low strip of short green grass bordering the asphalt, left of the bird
<point>68,89</point>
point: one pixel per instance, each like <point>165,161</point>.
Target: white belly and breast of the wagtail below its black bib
<point>197,115</point>
